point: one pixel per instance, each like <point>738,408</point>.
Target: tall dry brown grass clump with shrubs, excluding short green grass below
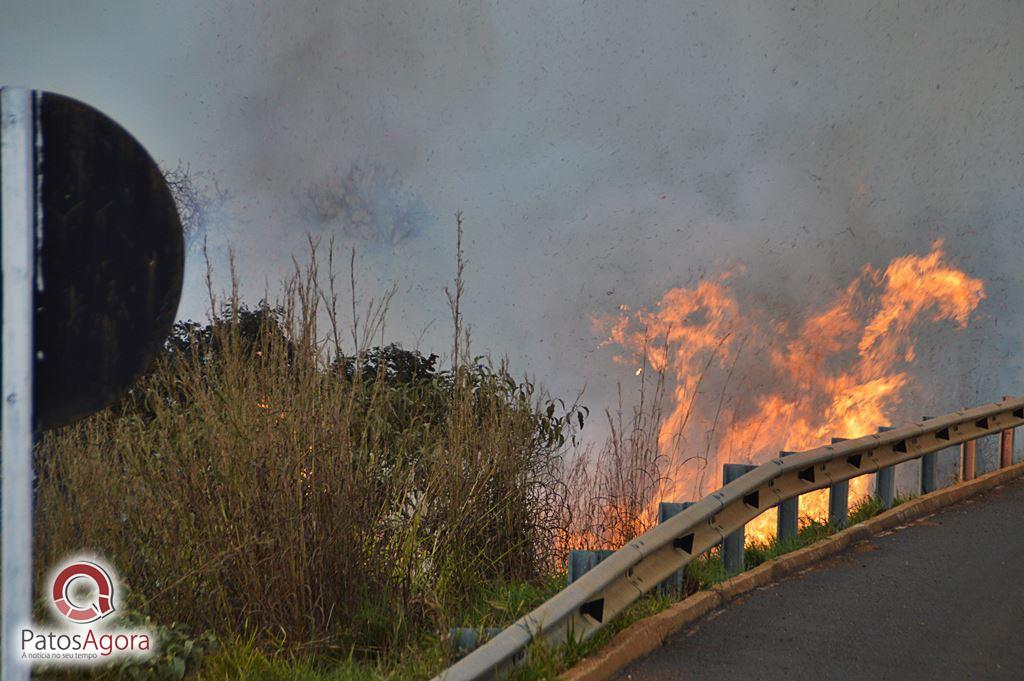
<point>264,483</point>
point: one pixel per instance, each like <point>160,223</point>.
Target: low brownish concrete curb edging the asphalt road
<point>648,635</point>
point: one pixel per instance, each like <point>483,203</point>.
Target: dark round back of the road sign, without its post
<point>110,258</point>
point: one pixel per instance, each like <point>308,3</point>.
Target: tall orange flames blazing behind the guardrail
<point>747,387</point>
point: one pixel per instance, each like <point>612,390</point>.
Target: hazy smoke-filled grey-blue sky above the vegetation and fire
<point>603,152</point>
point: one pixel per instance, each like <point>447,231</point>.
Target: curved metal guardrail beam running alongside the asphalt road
<point>590,603</point>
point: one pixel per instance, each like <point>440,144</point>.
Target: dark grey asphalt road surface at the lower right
<point>943,599</point>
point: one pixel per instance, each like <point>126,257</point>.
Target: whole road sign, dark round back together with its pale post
<point>93,262</point>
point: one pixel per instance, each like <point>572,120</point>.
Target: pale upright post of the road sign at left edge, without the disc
<point>19,216</point>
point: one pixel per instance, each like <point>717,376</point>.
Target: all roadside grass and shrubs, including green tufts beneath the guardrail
<point>290,496</point>
